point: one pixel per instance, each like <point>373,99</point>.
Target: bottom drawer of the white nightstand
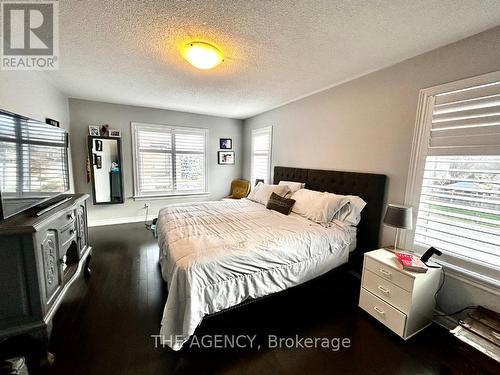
<point>382,311</point>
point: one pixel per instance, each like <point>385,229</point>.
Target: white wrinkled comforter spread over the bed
<point>214,255</point>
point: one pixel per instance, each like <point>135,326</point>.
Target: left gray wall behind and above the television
<point>29,94</point>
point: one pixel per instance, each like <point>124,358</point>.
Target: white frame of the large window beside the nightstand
<point>419,151</point>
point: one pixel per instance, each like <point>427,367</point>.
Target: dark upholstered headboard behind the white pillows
<point>368,186</point>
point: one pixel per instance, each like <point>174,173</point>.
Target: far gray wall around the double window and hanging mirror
<point>84,113</point>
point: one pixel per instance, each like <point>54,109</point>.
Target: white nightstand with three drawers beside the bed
<point>401,300</point>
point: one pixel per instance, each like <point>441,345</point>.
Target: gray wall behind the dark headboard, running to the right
<point>367,125</point>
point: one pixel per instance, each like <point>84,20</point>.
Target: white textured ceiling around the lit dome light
<point>125,51</point>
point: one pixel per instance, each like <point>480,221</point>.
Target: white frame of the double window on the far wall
<point>135,161</point>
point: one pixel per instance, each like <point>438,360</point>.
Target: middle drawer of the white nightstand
<point>387,291</point>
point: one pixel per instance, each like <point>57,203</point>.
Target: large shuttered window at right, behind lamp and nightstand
<point>457,175</point>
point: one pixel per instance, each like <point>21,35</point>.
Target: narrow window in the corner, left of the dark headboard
<point>261,154</point>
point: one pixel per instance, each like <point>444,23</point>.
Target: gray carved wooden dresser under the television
<point>40,257</point>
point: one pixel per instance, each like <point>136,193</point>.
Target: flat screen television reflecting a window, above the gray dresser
<point>33,163</point>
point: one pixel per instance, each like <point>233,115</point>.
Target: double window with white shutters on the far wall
<point>169,160</point>
